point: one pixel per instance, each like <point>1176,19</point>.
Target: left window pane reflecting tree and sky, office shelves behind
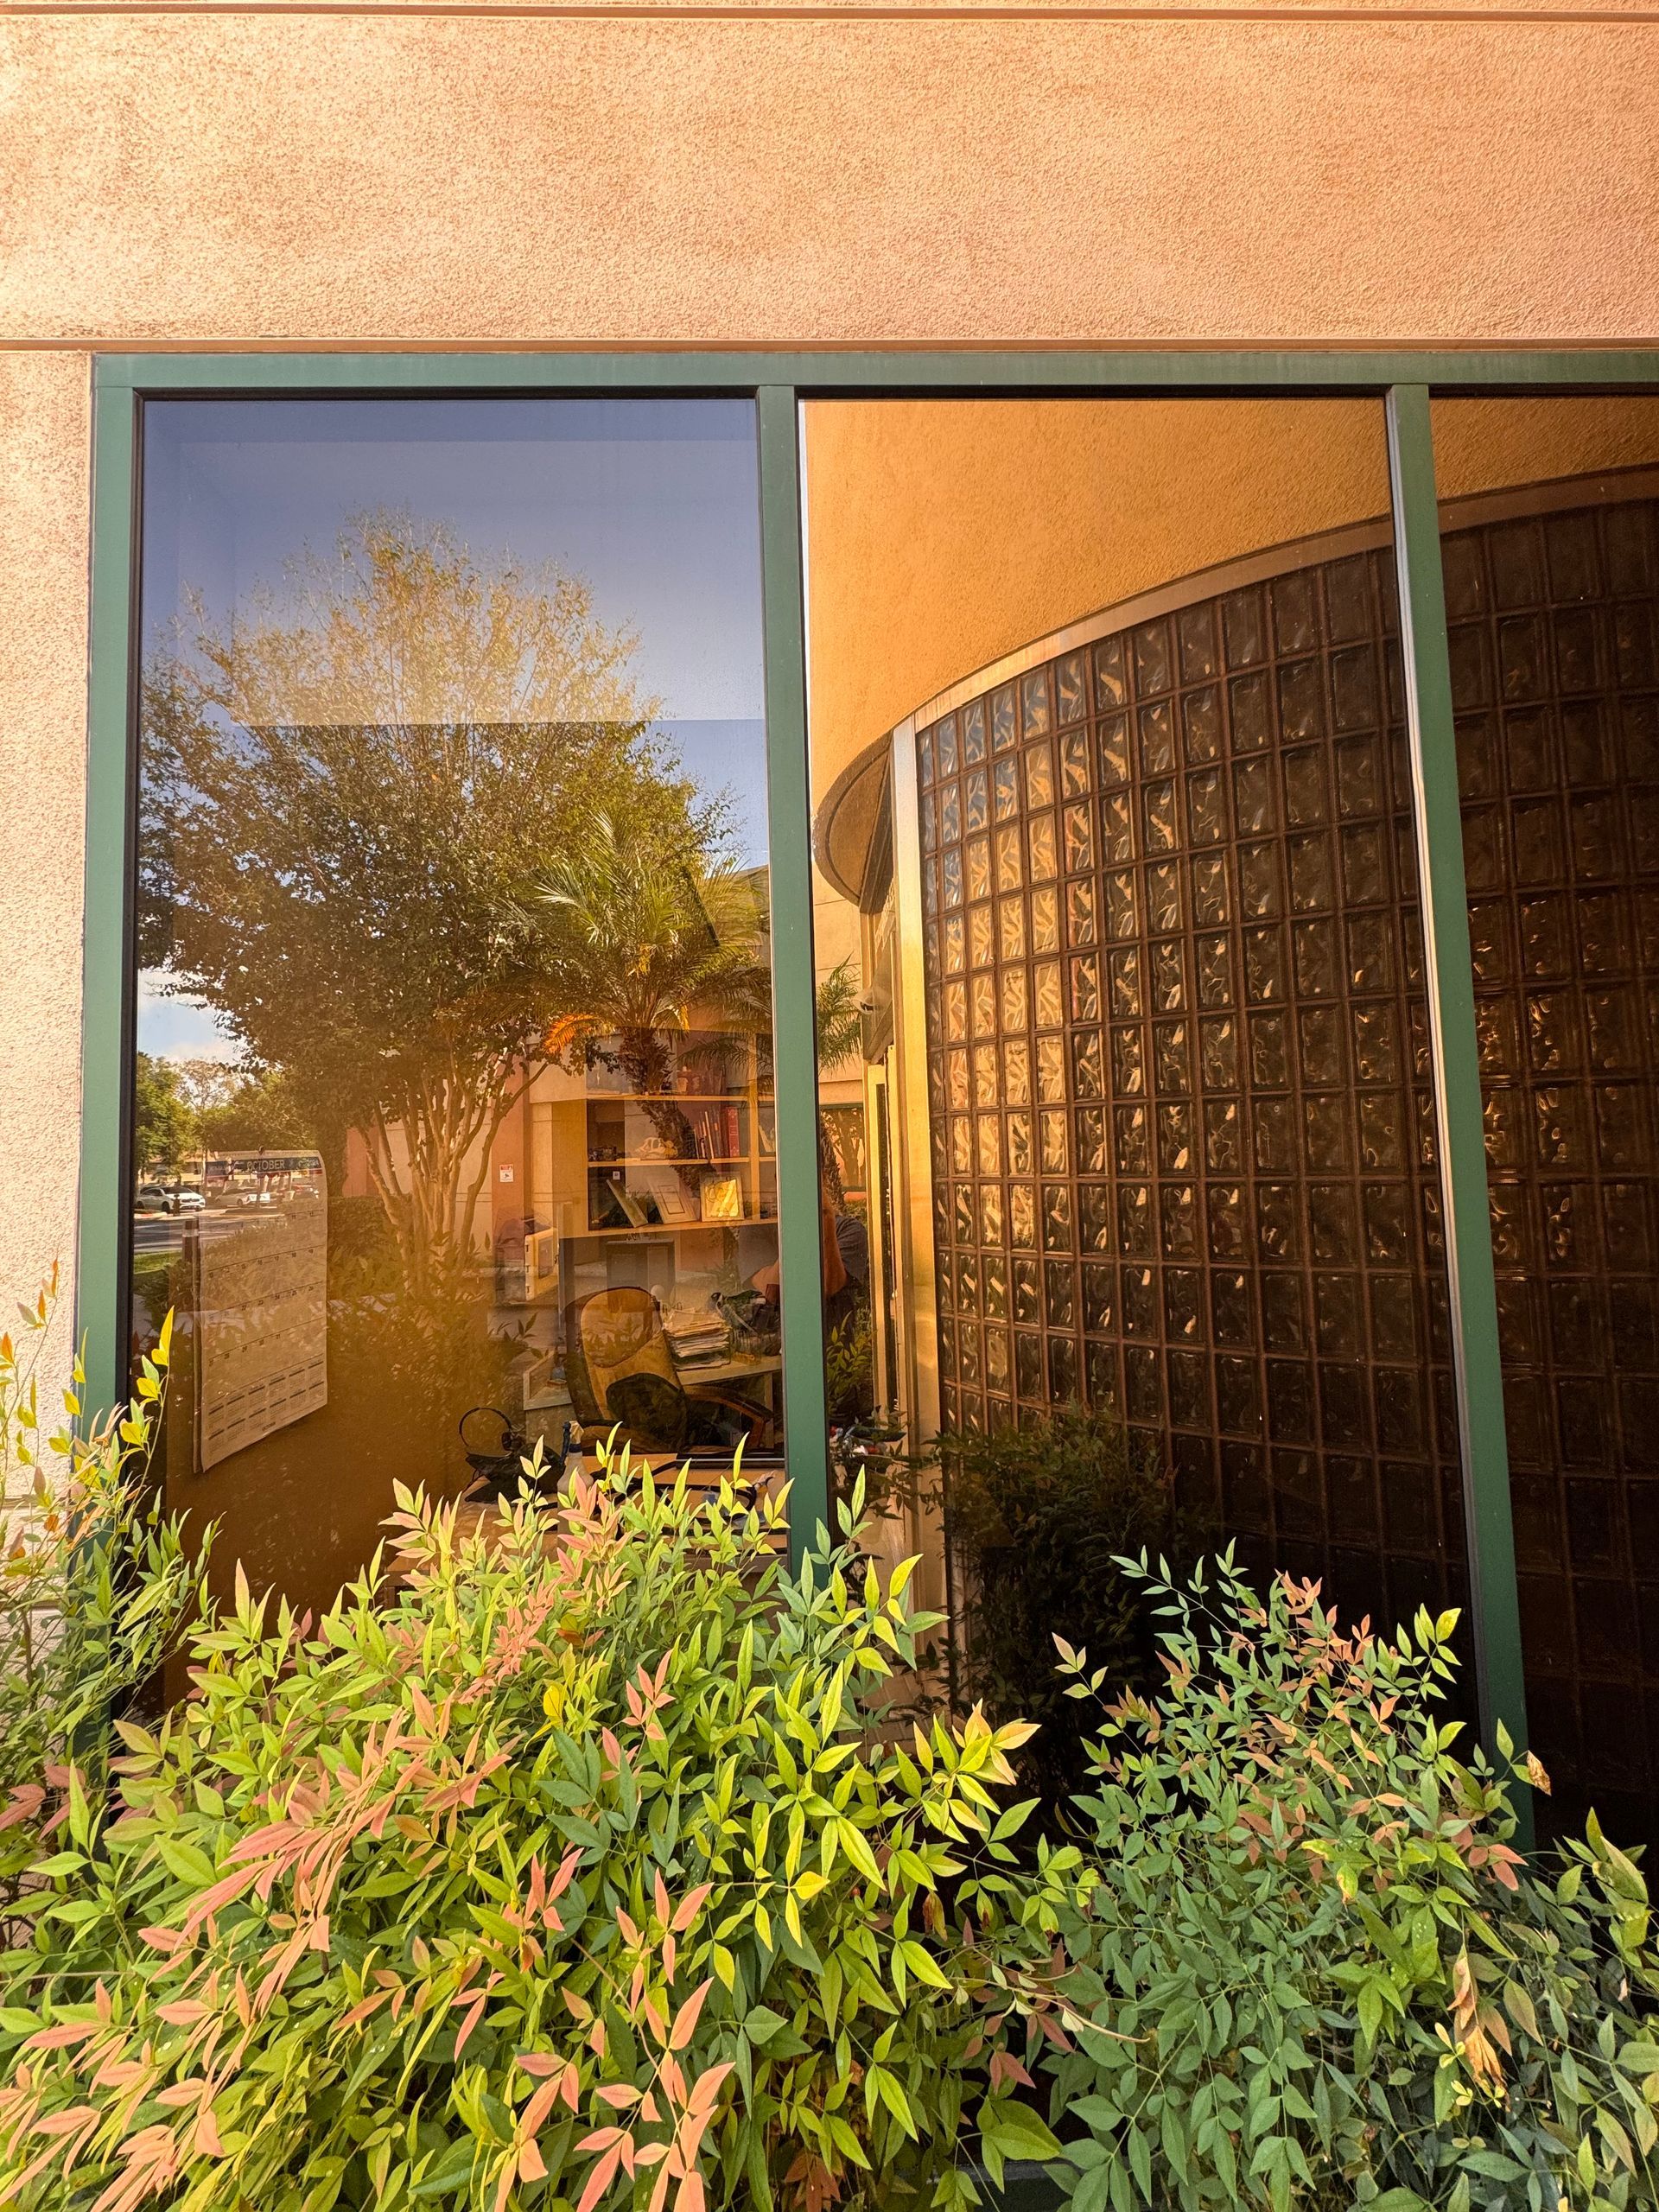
<point>452,1100</point>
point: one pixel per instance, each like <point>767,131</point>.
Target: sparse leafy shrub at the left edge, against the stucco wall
<point>94,1585</point>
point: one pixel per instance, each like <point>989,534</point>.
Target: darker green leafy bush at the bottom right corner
<point>1302,1959</point>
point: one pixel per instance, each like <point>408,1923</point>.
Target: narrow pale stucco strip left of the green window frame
<point>43,800</point>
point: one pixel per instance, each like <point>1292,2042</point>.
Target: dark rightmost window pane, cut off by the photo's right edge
<point>1552,561</point>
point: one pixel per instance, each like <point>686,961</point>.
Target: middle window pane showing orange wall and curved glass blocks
<point>1114,811</point>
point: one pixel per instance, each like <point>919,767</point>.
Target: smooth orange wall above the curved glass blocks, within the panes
<point>948,534</point>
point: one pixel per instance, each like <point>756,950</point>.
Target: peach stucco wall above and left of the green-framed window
<point>419,176</point>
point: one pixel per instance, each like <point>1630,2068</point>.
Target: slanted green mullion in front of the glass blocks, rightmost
<point>1457,1067</point>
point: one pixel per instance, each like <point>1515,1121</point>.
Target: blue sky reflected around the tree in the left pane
<point>654,503</point>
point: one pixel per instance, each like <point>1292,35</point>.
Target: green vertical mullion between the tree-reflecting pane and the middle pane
<point>793,972</point>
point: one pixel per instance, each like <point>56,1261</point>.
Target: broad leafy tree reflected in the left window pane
<point>348,795</point>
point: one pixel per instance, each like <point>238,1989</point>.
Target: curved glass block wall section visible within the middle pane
<point>1180,1074</point>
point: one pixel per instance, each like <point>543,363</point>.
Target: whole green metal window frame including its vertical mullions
<point>778,382</point>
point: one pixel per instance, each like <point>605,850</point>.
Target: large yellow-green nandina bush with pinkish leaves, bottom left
<point>570,1872</point>
